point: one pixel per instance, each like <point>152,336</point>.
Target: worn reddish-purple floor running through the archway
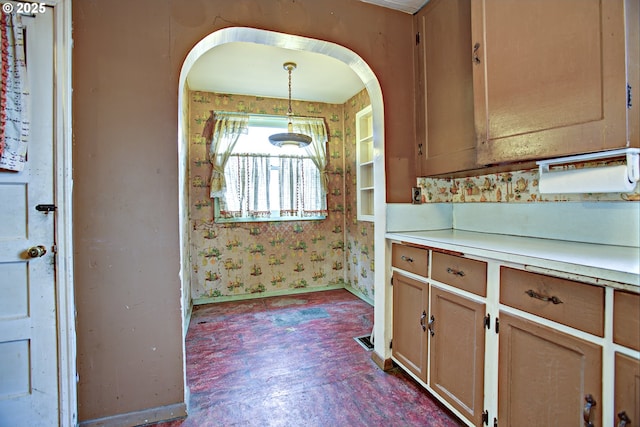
<point>293,361</point>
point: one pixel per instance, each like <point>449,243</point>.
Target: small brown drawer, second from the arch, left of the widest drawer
<point>467,274</point>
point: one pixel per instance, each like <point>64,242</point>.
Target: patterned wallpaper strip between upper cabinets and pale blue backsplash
<point>512,187</point>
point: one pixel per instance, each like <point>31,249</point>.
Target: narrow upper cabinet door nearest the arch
<point>444,94</point>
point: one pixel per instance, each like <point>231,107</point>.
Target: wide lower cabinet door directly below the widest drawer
<point>544,376</point>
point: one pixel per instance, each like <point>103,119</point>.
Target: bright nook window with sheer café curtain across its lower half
<point>267,183</point>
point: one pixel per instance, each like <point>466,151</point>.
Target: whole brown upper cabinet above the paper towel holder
<point>537,79</point>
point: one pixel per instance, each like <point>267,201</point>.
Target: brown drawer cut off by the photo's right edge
<point>626,319</point>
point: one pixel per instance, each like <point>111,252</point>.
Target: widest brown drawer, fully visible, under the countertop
<point>574,304</point>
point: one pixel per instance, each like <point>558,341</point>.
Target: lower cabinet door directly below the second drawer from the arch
<point>457,352</point>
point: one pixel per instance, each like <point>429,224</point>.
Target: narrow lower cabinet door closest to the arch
<point>410,305</point>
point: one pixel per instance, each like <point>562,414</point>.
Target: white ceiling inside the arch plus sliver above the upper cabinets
<point>243,68</point>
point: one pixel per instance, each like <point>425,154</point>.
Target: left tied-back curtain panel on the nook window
<point>222,131</point>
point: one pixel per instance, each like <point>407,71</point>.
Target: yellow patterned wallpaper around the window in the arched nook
<point>234,260</point>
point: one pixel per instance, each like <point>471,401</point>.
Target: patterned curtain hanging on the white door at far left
<point>14,97</point>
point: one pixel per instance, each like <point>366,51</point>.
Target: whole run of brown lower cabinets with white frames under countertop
<point>498,342</point>
